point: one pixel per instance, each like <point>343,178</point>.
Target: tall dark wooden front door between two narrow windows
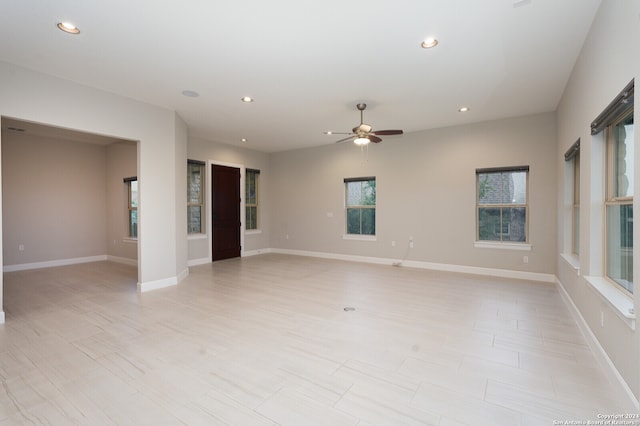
<point>226,212</point>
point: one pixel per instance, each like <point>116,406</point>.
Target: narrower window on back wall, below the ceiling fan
<point>360,201</point>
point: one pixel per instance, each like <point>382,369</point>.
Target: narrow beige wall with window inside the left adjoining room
<point>122,162</point>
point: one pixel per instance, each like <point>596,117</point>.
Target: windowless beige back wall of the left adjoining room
<point>54,199</point>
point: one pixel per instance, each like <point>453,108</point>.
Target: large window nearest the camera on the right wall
<point>619,199</point>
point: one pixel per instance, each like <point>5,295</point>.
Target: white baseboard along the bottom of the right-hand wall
<point>596,348</point>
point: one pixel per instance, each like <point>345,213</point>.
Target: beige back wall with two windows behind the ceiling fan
<point>426,189</point>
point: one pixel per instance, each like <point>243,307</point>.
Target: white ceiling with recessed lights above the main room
<point>306,63</point>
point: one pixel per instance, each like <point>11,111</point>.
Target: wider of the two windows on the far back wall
<point>502,204</point>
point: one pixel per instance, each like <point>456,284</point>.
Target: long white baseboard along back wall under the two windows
<point>505,273</point>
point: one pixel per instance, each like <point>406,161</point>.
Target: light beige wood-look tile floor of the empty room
<point>265,340</point>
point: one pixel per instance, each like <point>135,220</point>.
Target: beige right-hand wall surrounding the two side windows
<point>608,61</point>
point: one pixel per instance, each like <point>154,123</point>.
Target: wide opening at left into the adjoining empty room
<point>63,196</point>
